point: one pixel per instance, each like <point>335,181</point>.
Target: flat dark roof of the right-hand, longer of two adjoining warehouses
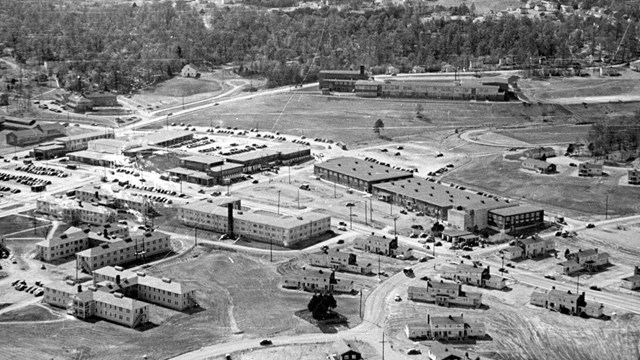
<point>438,194</point>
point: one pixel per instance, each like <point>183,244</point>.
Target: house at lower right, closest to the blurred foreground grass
<point>566,302</point>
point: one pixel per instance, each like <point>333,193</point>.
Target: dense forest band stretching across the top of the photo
<point>122,46</point>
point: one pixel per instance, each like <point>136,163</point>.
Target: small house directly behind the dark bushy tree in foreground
<point>323,281</point>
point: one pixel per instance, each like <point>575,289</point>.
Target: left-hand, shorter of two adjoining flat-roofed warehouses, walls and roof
<point>356,173</point>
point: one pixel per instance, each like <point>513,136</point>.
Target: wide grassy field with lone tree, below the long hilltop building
<point>350,119</point>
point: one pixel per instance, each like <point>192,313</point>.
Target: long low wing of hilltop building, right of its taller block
<point>429,90</point>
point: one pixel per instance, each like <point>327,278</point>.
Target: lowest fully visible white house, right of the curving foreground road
<point>446,328</point>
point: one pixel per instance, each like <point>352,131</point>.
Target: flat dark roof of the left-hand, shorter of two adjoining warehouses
<point>363,170</point>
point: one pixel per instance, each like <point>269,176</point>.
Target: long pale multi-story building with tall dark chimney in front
<point>284,230</point>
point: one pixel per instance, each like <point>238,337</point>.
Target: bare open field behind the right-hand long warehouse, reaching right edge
<point>568,195</point>
